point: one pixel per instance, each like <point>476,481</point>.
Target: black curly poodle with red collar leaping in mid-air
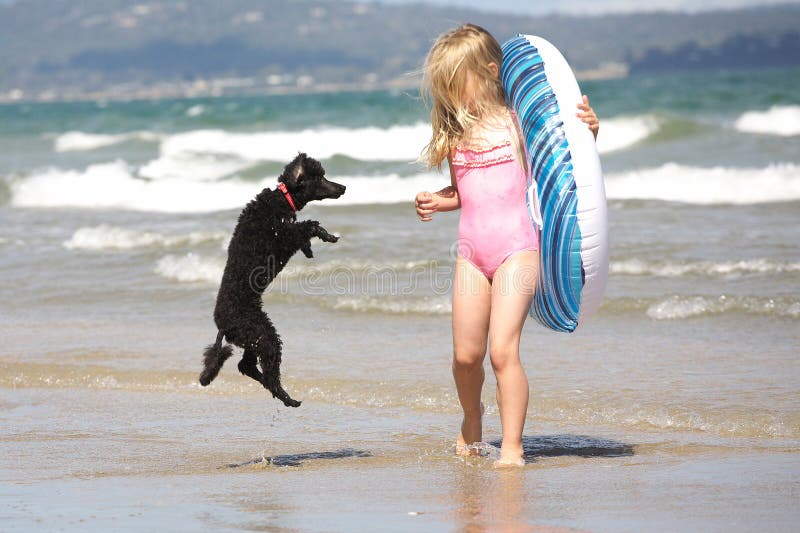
<point>265,238</point>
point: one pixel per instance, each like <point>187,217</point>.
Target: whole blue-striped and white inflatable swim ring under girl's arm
<point>566,196</point>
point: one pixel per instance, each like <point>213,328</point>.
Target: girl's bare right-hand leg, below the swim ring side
<point>512,292</point>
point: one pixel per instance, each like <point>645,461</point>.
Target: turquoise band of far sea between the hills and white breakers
<point>724,94</point>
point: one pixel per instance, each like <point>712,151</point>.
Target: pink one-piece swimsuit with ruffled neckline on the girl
<point>494,222</point>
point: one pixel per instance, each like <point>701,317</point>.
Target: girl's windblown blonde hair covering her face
<point>458,56</point>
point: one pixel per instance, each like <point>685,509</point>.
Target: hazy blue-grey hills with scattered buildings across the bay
<point>64,48</point>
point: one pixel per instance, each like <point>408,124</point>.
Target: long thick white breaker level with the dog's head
<point>116,185</point>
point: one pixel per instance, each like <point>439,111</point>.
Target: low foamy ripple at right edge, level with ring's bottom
<point>678,307</point>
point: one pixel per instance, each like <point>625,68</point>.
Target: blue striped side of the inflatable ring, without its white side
<point>558,295</point>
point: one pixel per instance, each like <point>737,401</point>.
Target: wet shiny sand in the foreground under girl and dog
<point>164,461</point>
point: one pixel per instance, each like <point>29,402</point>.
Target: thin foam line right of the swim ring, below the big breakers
<point>640,267</point>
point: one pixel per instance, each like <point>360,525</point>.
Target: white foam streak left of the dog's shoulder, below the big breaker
<point>105,237</point>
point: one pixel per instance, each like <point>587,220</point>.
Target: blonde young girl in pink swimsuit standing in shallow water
<point>497,264</point>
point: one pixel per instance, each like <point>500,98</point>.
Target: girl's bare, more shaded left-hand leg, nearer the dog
<point>471,305</point>
